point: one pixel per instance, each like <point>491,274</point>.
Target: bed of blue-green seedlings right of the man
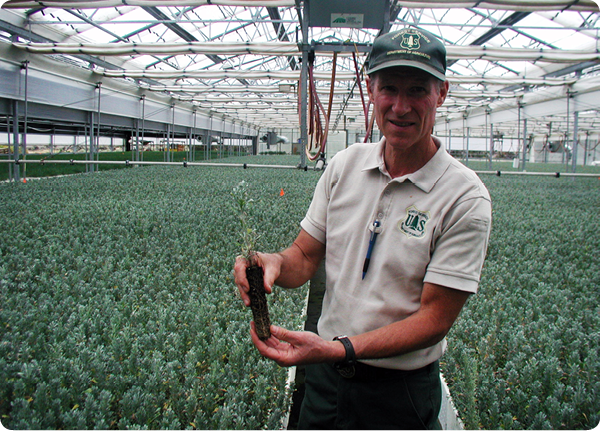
<point>523,355</point>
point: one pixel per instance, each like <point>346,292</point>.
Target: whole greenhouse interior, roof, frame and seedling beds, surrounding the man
<point>128,126</point>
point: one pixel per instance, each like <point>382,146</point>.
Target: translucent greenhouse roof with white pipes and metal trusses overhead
<point>242,58</point>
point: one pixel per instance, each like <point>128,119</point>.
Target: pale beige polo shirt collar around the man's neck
<point>425,178</point>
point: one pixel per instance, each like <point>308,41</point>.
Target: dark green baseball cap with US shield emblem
<point>409,47</point>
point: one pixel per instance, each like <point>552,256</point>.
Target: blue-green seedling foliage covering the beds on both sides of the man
<point>118,308</point>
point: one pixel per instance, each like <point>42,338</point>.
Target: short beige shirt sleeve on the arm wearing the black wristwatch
<point>460,249</point>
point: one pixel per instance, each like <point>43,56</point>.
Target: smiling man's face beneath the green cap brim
<point>405,100</point>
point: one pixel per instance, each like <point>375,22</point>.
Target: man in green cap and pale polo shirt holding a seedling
<point>404,229</point>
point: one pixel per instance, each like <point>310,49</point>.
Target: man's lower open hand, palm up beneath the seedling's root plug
<point>289,348</point>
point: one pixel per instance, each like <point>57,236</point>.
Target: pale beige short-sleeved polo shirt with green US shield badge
<point>434,227</point>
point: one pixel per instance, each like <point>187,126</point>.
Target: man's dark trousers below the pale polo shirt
<point>374,399</point>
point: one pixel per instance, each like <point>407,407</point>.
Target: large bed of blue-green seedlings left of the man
<point>118,306</point>
